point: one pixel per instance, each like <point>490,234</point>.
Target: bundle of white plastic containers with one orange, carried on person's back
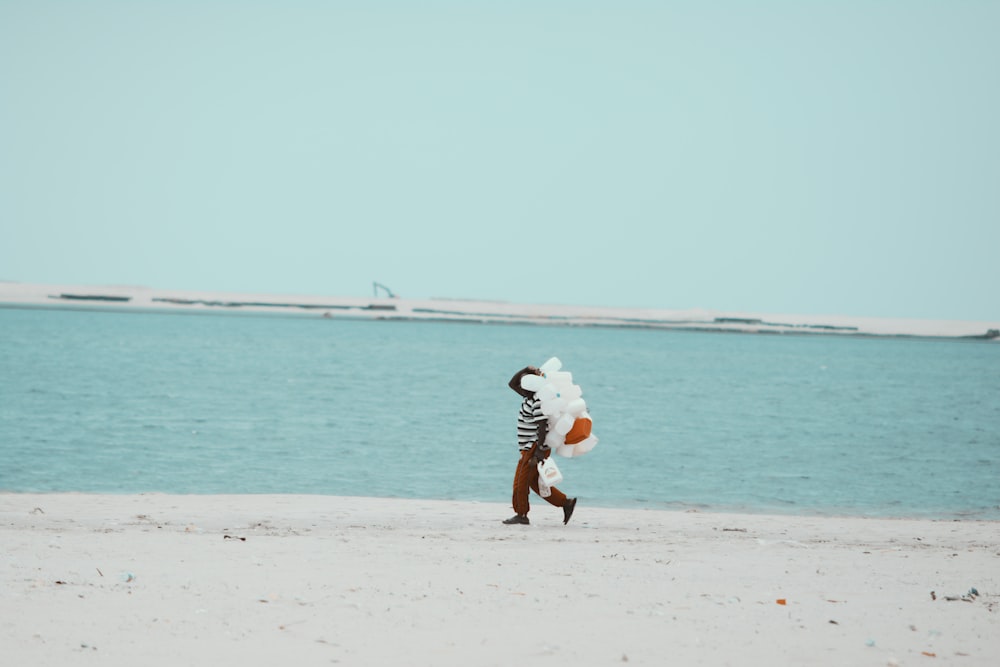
<point>562,402</point>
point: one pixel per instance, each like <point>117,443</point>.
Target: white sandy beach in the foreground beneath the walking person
<point>167,580</point>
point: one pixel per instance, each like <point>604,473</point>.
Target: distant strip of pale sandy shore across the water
<point>143,299</point>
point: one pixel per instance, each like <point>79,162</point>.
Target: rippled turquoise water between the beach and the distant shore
<point>161,402</point>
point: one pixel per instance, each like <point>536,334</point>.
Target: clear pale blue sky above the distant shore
<point>783,157</point>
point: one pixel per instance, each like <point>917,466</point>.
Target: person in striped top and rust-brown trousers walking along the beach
<point>532,427</point>
